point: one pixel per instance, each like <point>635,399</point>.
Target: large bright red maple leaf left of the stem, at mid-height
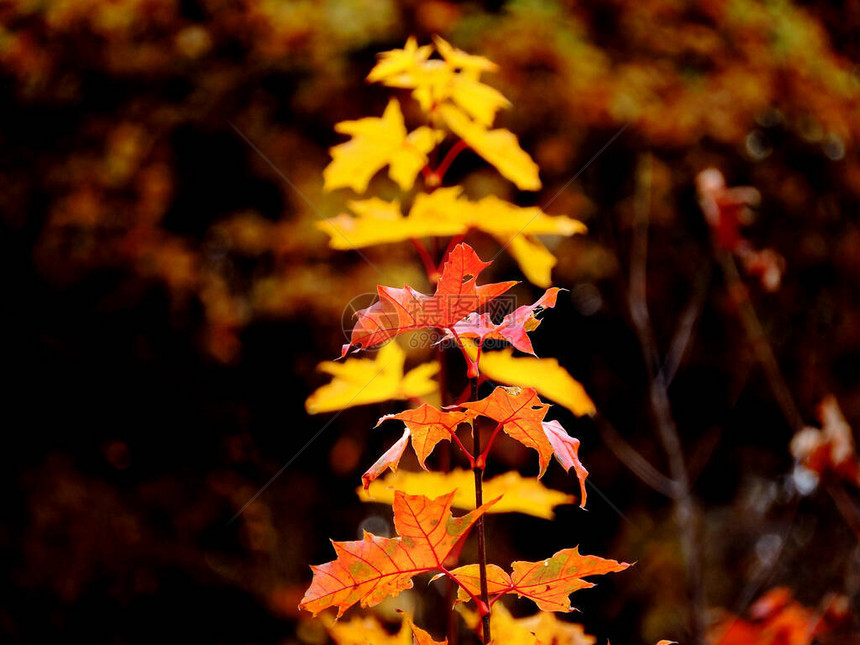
<point>401,310</point>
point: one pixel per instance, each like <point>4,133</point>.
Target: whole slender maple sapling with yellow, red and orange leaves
<point>430,537</point>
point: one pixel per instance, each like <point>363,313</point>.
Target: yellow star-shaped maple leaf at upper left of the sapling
<point>376,143</point>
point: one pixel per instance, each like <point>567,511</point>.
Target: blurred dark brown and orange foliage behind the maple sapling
<point>167,298</point>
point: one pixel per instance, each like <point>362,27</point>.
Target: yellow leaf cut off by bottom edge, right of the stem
<point>543,627</point>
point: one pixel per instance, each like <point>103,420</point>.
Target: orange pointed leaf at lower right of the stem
<point>548,583</point>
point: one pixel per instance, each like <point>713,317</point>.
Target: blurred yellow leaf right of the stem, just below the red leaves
<point>543,374</point>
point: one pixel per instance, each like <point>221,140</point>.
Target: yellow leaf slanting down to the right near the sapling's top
<point>499,147</point>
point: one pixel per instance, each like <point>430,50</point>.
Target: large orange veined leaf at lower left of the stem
<point>369,570</point>
